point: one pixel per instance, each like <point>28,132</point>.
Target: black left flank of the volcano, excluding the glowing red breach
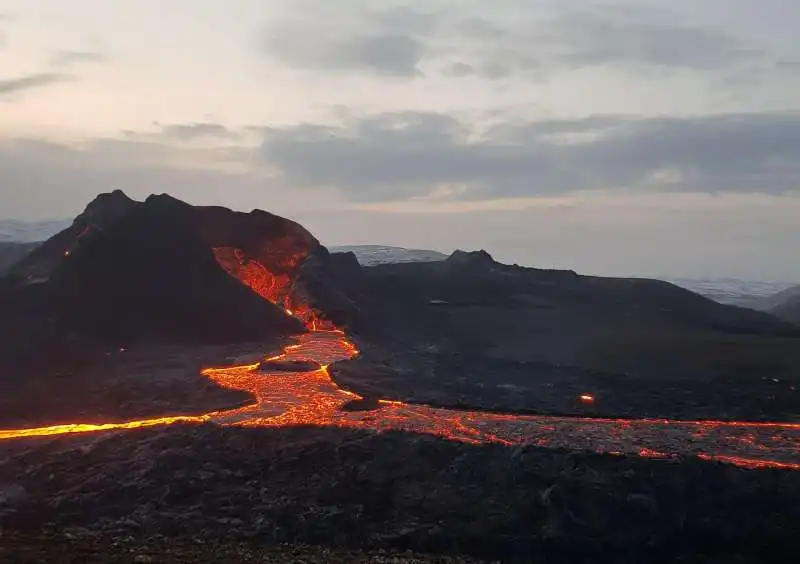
<point>126,272</point>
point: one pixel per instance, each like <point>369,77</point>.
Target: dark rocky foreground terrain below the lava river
<point>217,486</point>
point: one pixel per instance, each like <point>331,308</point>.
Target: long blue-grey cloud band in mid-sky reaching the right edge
<point>400,156</point>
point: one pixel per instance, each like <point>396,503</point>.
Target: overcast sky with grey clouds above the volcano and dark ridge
<point>652,137</point>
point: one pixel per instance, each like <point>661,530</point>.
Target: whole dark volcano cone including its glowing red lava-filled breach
<point>128,271</point>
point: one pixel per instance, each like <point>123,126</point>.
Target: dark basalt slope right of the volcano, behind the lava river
<point>471,332</point>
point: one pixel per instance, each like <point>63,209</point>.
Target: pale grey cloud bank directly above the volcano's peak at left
<point>44,177</point>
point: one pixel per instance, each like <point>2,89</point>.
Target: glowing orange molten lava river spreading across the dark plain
<point>312,398</point>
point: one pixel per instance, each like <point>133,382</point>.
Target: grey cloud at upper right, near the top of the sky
<point>584,38</point>
